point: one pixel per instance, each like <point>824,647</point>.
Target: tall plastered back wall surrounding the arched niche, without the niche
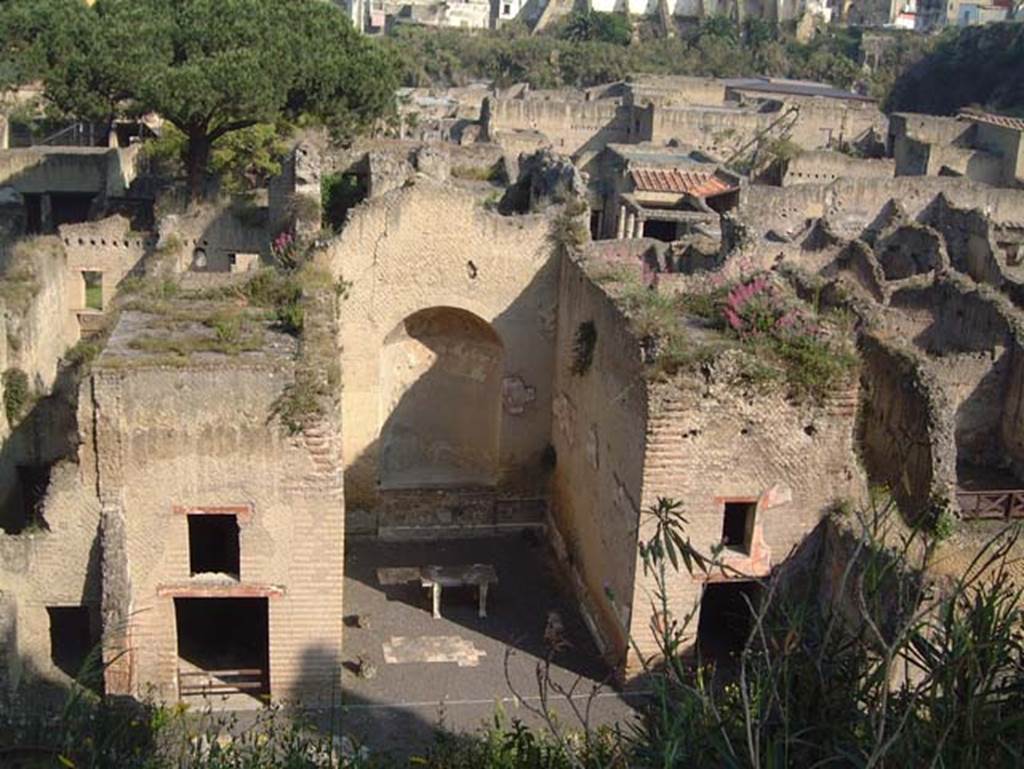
<point>433,246</point>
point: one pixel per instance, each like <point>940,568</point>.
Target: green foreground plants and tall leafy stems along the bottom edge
<point>901,675</point>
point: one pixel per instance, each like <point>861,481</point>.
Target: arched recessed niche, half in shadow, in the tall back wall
<point>441,389</point>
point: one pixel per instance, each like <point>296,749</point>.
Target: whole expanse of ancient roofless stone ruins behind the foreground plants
<point>494,340</point>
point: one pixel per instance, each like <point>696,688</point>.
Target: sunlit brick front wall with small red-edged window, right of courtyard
<point>711,442</point>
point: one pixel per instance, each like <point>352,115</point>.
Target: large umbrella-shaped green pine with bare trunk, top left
<point>208,67</point>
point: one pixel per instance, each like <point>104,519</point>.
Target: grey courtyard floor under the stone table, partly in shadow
<point>457,670</point>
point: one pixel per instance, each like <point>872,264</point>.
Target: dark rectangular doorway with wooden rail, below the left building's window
<point>224,647</point>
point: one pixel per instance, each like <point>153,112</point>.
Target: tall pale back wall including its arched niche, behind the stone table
<point>495,278</point>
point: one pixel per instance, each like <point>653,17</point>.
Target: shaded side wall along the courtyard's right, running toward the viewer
<point>600,436</point>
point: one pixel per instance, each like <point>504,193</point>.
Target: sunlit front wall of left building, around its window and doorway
<point>154,467</point>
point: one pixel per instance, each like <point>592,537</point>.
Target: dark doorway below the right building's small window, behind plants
<point>727,619</point>
